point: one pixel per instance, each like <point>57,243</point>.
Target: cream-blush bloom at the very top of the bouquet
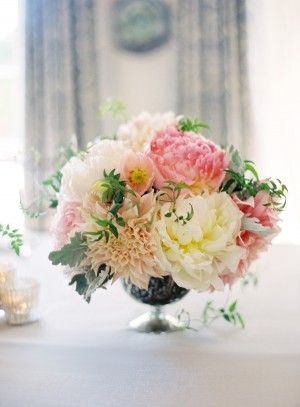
<point>138,132</point>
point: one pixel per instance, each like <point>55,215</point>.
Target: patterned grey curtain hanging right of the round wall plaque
<point>212,78</point>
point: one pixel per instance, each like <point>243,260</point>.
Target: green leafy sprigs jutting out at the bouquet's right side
<point>242,178</point>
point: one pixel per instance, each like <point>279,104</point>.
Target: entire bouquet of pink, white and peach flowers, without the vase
<point>162,200</point>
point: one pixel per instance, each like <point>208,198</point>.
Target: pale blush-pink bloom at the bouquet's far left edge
<point>68,219</point>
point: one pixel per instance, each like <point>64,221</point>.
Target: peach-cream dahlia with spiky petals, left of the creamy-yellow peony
<point>134,253</point>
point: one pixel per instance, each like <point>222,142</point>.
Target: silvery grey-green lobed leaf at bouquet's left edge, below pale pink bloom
<point>72,253</point>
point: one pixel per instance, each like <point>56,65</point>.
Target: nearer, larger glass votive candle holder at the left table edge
<point>20,300</point>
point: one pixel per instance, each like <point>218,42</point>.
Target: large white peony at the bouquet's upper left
<point>79,175</point>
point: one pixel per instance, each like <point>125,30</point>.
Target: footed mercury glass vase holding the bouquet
<point>160,292</point>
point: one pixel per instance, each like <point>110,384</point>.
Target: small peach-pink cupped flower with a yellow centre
<point>138,171</point>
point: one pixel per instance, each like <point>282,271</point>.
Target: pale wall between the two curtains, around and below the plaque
<point>142,80</point>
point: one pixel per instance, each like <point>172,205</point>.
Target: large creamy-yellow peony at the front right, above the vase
<point>200,250</point>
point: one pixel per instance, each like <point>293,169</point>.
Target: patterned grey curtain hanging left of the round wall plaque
<point>62,98</point>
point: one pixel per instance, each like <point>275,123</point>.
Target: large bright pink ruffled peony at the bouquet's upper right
<point>187,157</point>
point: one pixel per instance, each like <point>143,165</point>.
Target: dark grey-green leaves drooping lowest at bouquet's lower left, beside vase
<point>87,283</point>
